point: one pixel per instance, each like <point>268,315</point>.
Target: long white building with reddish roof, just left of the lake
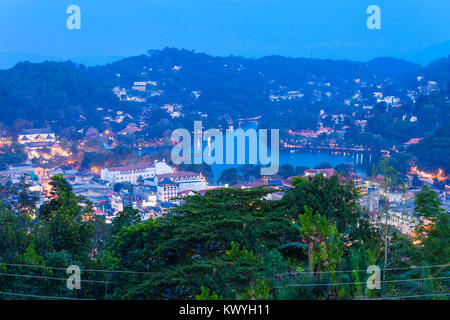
<point>132,174</point>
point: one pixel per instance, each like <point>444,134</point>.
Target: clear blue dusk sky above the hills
<point>334,29</point>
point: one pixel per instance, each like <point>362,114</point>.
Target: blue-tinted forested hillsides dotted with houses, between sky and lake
<point>70,97</point>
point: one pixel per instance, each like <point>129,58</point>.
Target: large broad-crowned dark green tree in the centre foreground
<point>221,241</point>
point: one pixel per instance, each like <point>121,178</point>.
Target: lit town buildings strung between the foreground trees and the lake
<point>154,188</point>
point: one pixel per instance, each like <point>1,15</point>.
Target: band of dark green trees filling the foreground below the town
<point>227,244</point>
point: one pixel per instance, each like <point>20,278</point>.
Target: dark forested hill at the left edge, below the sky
<point>52,93</point>
